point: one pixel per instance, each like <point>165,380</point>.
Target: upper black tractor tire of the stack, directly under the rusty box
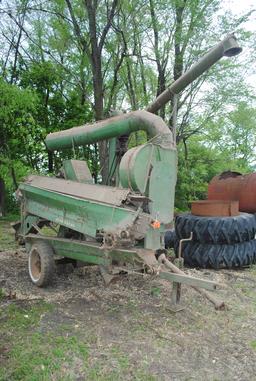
<point>217,230</point>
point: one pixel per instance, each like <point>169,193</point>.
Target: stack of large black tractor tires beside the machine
<point>217,242</point>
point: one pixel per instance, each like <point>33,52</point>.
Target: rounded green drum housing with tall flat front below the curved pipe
<point>151,170</point>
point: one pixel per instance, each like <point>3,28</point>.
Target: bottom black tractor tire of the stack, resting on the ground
<point>218,256</point>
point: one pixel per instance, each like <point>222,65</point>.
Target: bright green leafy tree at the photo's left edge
<point>21,142</point>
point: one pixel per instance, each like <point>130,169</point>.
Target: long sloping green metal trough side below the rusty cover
<point>84,216</point>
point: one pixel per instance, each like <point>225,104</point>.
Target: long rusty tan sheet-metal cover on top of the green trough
<point>99,193</point>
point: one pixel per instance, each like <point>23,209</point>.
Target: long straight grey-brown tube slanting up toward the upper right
<point>228,47</point>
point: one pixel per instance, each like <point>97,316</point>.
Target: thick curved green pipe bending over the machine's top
<point>109,128</point>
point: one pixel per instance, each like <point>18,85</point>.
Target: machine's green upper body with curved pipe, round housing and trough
<point>154,162</point>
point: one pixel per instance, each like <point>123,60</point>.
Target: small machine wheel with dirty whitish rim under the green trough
<point>41,263</point>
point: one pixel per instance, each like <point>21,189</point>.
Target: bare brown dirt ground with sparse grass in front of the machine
<point>129,327</point>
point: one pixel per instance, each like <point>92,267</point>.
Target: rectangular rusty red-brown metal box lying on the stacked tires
<point>215,208</point>
